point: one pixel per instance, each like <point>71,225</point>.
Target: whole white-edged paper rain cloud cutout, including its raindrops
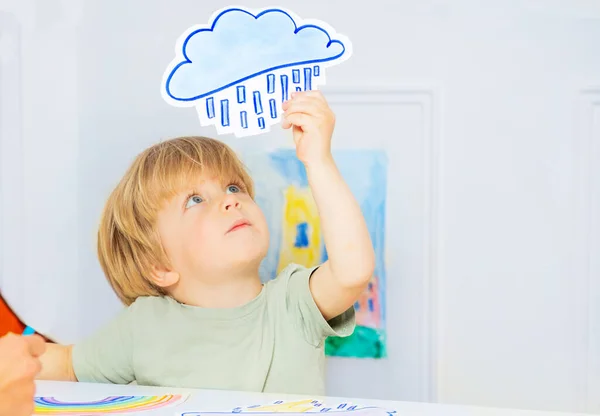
<point>240,68</point>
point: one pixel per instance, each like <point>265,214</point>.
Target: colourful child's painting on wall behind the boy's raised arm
<point>284,195</point>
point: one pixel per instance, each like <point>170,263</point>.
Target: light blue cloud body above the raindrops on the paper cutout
<point>240,45</point>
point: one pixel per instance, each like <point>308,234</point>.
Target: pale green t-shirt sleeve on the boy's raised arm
<point>304,311</point>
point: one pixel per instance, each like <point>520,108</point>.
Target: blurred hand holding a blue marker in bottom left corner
<point>19,365</point>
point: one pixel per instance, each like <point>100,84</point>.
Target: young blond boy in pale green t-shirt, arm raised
<point>181,240</point>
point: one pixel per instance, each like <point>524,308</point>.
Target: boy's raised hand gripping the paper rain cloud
<point>313,123</point>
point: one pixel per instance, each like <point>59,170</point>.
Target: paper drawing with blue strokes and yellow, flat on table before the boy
<point>300,408</point>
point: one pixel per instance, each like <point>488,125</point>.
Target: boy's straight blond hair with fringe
<point>129,245</point>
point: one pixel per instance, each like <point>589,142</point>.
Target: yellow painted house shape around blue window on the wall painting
<point>300,208</point>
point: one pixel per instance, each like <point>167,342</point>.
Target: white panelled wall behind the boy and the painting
<point>492,124</point>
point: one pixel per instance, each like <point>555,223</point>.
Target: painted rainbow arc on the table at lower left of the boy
<point>105,406</point>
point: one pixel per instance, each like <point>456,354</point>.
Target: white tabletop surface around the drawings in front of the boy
<point>218,401</point>
